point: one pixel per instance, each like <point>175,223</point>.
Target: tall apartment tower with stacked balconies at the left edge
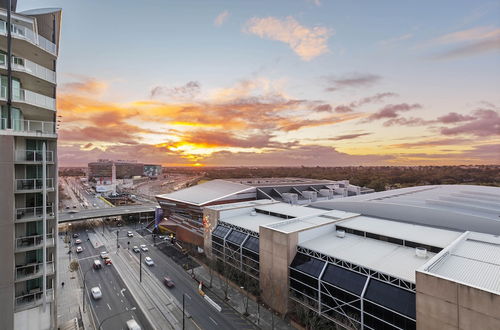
<point>29,44</point>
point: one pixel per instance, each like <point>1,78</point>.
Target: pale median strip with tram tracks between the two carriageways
<point>162,310</point>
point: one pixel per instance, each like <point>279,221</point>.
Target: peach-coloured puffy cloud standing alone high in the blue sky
<point>306,42</point>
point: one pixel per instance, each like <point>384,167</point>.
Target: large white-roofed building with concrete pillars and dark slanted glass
<point>423,257</point>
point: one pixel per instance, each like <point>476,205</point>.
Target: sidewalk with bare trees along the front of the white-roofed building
<point>237,299</point>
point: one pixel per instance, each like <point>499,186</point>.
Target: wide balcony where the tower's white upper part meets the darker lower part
<point>31,128</point>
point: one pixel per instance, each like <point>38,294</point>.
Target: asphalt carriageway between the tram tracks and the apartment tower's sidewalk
<point>115,296</point>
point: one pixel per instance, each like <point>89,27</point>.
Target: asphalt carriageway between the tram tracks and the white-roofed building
<point>203,314</point>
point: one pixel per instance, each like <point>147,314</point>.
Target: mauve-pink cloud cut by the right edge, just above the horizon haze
<point>486,122</point>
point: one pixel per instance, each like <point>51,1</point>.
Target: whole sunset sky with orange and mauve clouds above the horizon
<point>295,82</point>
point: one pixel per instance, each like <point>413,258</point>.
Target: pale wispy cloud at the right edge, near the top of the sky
<point>470,42</point>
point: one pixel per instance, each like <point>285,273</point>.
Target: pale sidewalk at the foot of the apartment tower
<point>69,297</point>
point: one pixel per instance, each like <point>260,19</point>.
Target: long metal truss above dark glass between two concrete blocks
<point>359,269</point>
